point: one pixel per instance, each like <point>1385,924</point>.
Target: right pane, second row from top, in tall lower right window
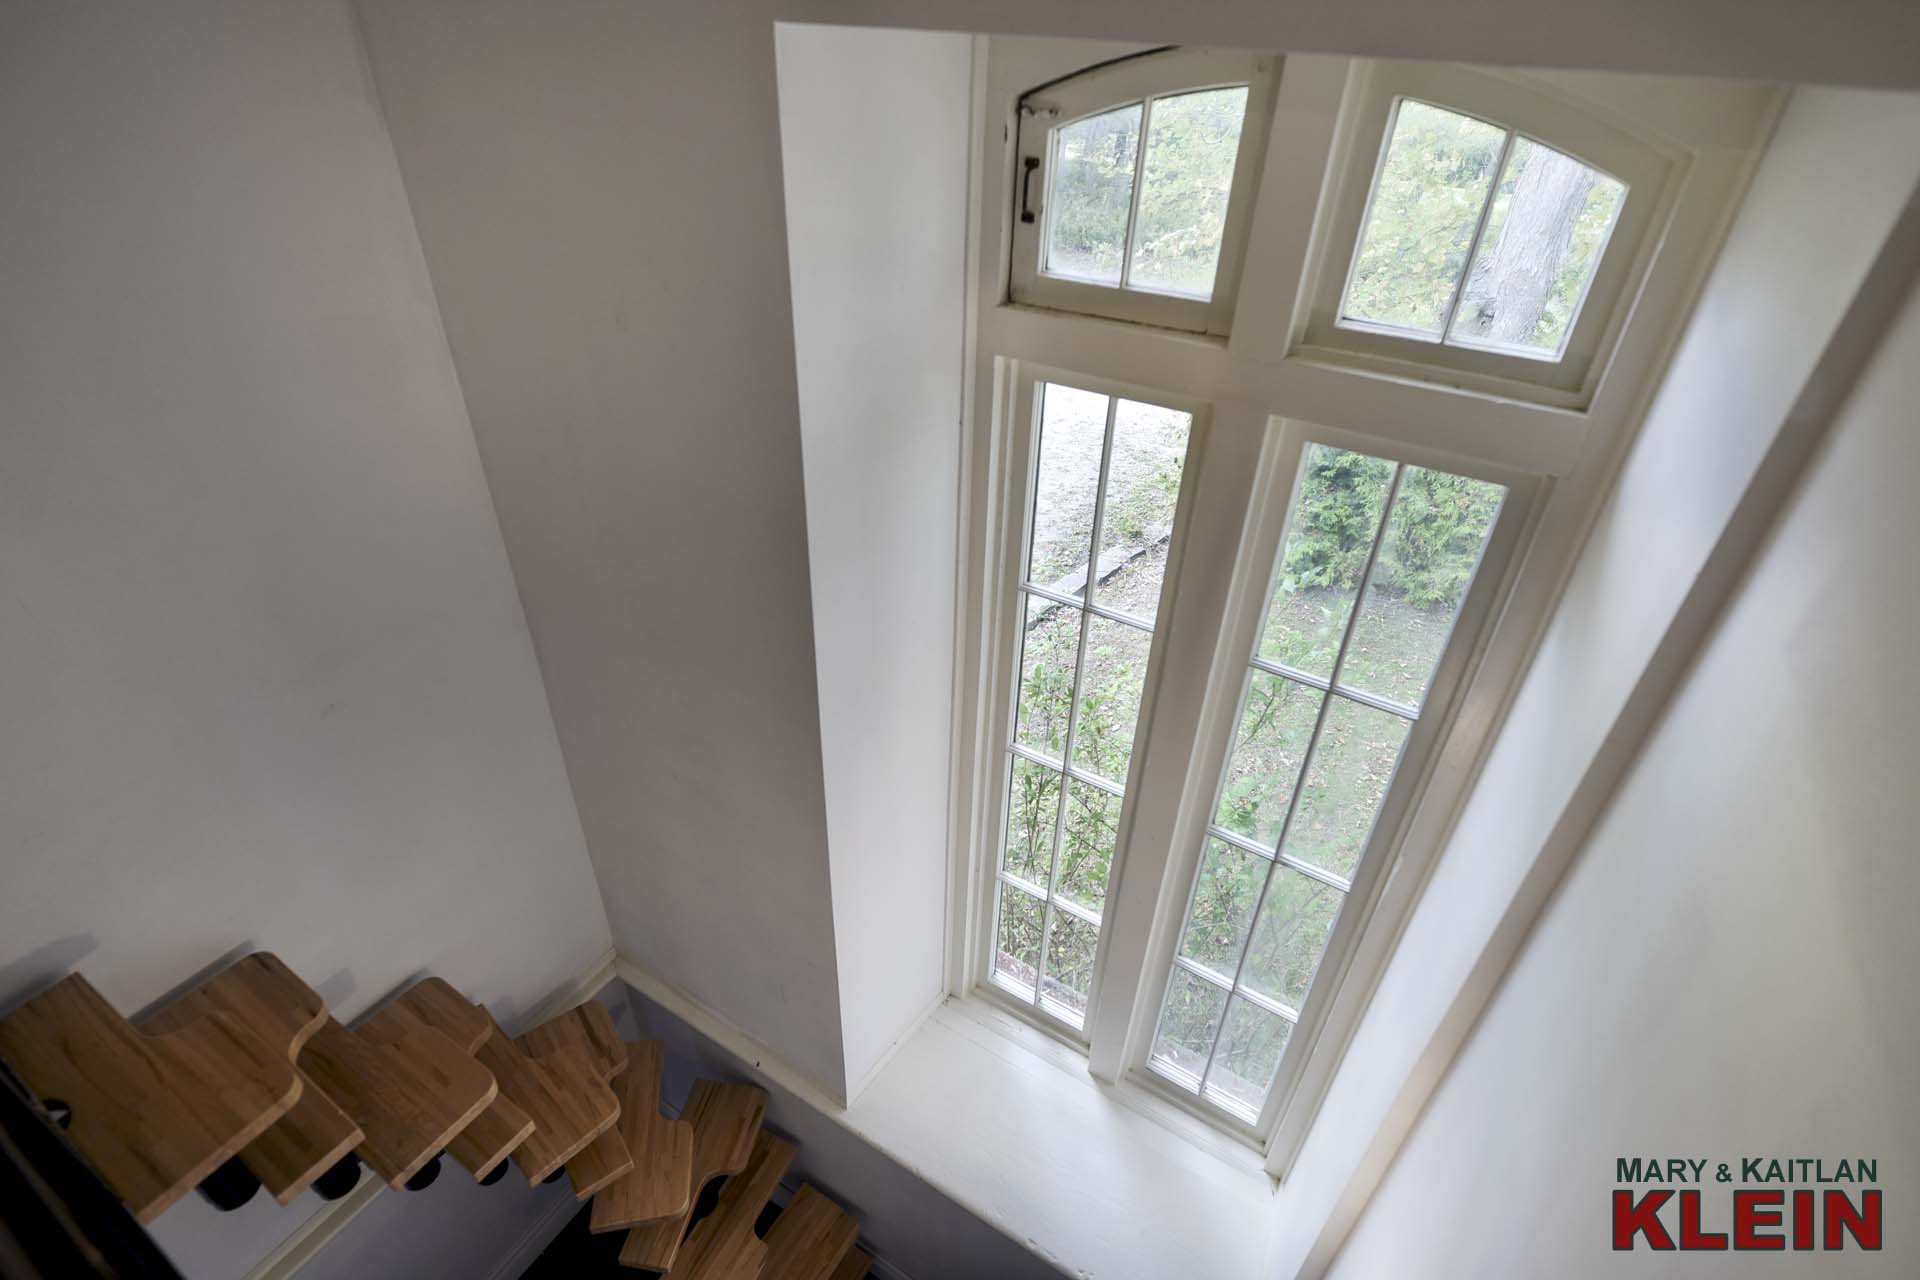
<point>1345,786</point>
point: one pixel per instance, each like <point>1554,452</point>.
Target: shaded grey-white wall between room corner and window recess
<point>600,201</point>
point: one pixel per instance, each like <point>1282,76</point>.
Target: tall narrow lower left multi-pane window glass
<point>1107,477</point>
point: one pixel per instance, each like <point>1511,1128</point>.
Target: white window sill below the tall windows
<point>1101,1181</point>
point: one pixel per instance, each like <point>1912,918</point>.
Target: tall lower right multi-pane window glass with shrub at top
<point>1362,602</point>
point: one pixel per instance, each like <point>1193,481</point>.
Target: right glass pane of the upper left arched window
<point>1191,145</point>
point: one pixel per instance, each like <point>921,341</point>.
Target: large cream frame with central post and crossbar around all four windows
<point>1266,392</point>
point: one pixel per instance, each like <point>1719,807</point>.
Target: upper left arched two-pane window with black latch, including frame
<point>1136,183</point>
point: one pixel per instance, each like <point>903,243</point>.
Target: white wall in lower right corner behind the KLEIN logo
<point>1729,968</point>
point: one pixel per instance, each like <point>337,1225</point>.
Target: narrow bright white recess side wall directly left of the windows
<point>875,133</point>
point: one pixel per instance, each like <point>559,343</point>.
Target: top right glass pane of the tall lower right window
<point>1433,544</point>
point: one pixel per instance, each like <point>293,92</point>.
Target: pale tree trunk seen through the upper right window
<point>1508,291</point>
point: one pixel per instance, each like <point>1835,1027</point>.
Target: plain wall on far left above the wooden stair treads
<point>268,680</point>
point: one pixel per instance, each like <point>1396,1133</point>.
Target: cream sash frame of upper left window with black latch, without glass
<point>1095,91</point>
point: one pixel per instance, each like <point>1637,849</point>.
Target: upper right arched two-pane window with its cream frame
<point>1481,235</point>
